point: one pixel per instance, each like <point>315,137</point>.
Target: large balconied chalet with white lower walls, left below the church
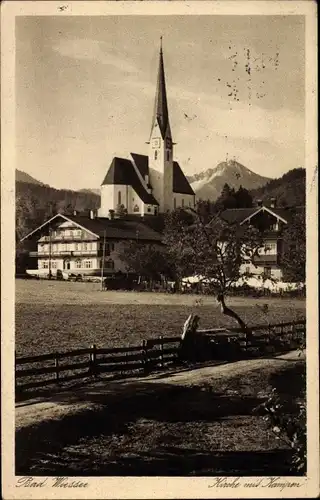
<point>84,246</point>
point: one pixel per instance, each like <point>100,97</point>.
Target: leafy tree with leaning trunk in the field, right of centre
<point>215,252</point>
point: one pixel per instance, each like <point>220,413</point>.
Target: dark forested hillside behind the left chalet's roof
<point>35,203</point>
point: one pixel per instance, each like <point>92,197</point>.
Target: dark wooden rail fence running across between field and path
<point>150,355</point>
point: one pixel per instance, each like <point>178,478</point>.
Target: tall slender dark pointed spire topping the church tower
<point>161,105</point>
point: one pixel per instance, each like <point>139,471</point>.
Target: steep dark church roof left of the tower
<point>122,171</point>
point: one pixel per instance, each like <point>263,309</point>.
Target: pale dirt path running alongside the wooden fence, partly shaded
<point>101,393</point>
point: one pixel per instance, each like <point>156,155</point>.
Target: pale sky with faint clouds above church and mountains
<point>85,91</point>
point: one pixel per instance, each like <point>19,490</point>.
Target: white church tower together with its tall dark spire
<point>160,145</point>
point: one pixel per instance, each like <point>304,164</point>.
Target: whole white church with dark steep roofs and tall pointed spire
<point>148,184</point>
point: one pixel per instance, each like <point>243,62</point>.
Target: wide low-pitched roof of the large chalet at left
<point>116,229</point>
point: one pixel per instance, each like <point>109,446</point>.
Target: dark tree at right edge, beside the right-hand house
<point>293,261</point>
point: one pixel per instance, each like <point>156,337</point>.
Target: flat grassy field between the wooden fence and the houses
<point>56,316</point>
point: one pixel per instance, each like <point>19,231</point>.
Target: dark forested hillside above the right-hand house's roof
<point>289,190</point>
